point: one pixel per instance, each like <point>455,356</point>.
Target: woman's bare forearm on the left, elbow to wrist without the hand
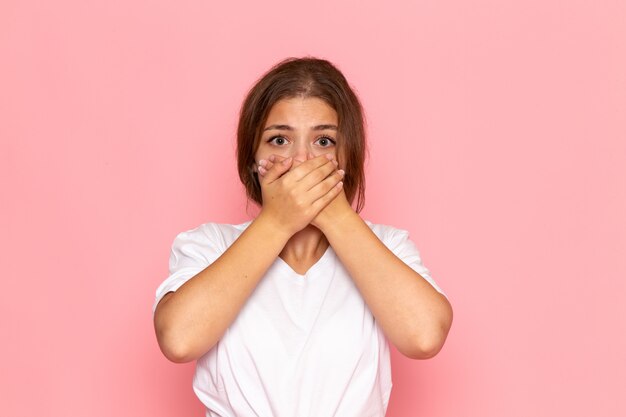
<point>194,317</point>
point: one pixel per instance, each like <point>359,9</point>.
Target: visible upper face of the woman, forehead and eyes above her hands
<point>297,126</point>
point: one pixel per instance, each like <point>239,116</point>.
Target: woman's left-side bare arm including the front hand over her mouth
<point>191,320</point>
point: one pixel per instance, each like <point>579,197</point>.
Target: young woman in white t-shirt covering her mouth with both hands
<point>289,314</point>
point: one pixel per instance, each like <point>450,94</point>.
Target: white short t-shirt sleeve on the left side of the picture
<point>192,251</point>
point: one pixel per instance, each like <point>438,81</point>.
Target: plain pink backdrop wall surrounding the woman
<point>498,139</point>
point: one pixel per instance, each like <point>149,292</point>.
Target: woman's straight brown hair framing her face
<point>304,77</point>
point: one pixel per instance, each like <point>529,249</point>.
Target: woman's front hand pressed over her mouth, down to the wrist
<point>292,197</point>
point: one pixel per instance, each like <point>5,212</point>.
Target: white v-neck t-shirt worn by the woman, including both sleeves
<point>302,345</point>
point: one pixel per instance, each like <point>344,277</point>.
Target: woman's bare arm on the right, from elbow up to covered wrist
<point>414,316</point>
